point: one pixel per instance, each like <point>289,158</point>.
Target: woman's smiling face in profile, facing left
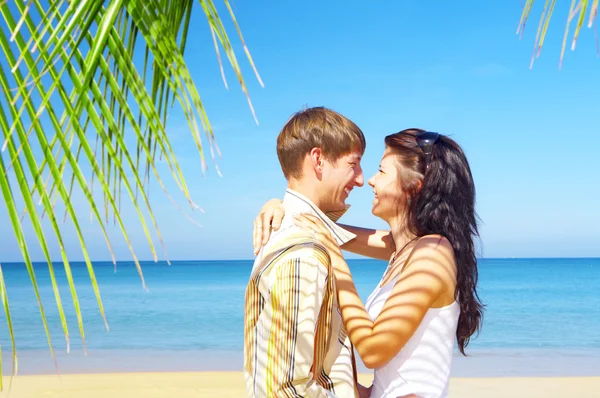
<point>387,188</point>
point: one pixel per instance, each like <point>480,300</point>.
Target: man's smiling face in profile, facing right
<point>339,178</point>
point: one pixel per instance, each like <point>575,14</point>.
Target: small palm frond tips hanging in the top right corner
<point>578,10</point>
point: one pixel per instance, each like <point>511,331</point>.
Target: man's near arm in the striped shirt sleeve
<point>296,295</point>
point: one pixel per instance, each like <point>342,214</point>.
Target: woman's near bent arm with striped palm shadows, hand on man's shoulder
<point>429,273</point>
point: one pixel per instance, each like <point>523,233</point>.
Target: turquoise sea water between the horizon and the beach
<point>193,311</point>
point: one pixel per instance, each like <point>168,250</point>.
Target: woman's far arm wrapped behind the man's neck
<point>368,242</point>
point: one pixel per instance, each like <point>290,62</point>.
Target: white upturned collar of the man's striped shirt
<point>297,203</point>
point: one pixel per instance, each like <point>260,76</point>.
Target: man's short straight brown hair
<point>317,127</point>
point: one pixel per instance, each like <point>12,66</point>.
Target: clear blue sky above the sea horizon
<point>453,67</point>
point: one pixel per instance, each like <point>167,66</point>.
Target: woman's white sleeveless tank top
<point>422,366</point>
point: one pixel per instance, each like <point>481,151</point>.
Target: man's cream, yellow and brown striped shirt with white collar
<point>296,344</point>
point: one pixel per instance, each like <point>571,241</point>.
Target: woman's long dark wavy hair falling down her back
<point>444,205</point>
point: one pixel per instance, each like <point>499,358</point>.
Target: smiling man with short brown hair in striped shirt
<point>295,341</point>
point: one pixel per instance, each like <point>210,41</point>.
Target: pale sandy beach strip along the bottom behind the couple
<point>231,384</point>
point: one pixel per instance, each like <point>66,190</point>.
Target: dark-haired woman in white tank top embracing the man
<point>424,190</point>
